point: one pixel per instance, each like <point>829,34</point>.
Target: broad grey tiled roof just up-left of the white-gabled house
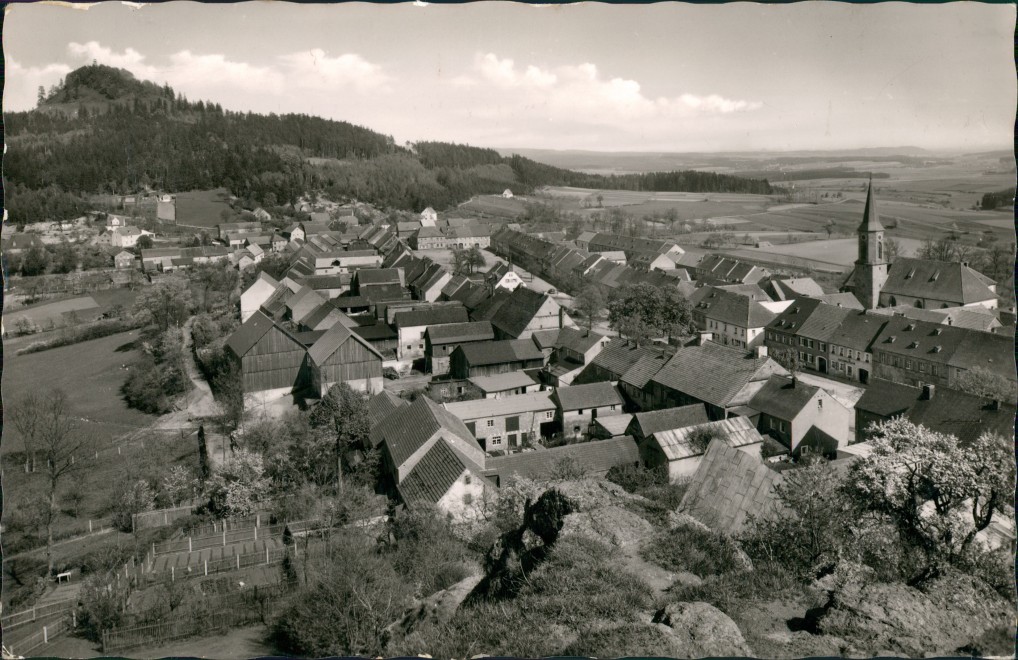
<point>715,374</point>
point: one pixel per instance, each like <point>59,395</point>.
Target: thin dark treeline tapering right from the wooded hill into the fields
<point>532,174</point>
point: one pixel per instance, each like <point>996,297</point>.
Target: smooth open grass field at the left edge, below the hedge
<point>90,373</point>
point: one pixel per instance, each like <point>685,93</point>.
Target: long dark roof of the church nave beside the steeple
<point>940,281</point>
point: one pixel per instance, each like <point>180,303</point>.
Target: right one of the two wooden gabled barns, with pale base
<point>342,356</point>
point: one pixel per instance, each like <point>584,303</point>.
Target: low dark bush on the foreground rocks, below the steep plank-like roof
<point>695,551</point>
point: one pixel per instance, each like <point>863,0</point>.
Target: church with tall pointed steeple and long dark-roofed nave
<point>918,283</point>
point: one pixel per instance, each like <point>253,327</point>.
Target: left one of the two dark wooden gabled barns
<point>271,359</point>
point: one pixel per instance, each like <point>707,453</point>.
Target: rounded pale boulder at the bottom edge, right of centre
<point>701,631</point>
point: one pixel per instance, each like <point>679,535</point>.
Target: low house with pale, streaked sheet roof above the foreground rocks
<point>682,451</point>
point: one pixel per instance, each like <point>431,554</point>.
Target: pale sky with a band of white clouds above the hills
<point>658,78</point>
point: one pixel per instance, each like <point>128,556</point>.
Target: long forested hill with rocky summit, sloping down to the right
<point>103,131</point>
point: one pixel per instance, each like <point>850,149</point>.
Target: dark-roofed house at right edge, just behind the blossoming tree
<point>939,409</point>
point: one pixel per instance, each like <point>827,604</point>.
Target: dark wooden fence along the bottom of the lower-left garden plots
<point>219,614</point>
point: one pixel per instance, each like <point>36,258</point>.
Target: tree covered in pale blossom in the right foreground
<point>936,493</point>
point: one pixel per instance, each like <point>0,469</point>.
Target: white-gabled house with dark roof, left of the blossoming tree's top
<point>803,418</point>
